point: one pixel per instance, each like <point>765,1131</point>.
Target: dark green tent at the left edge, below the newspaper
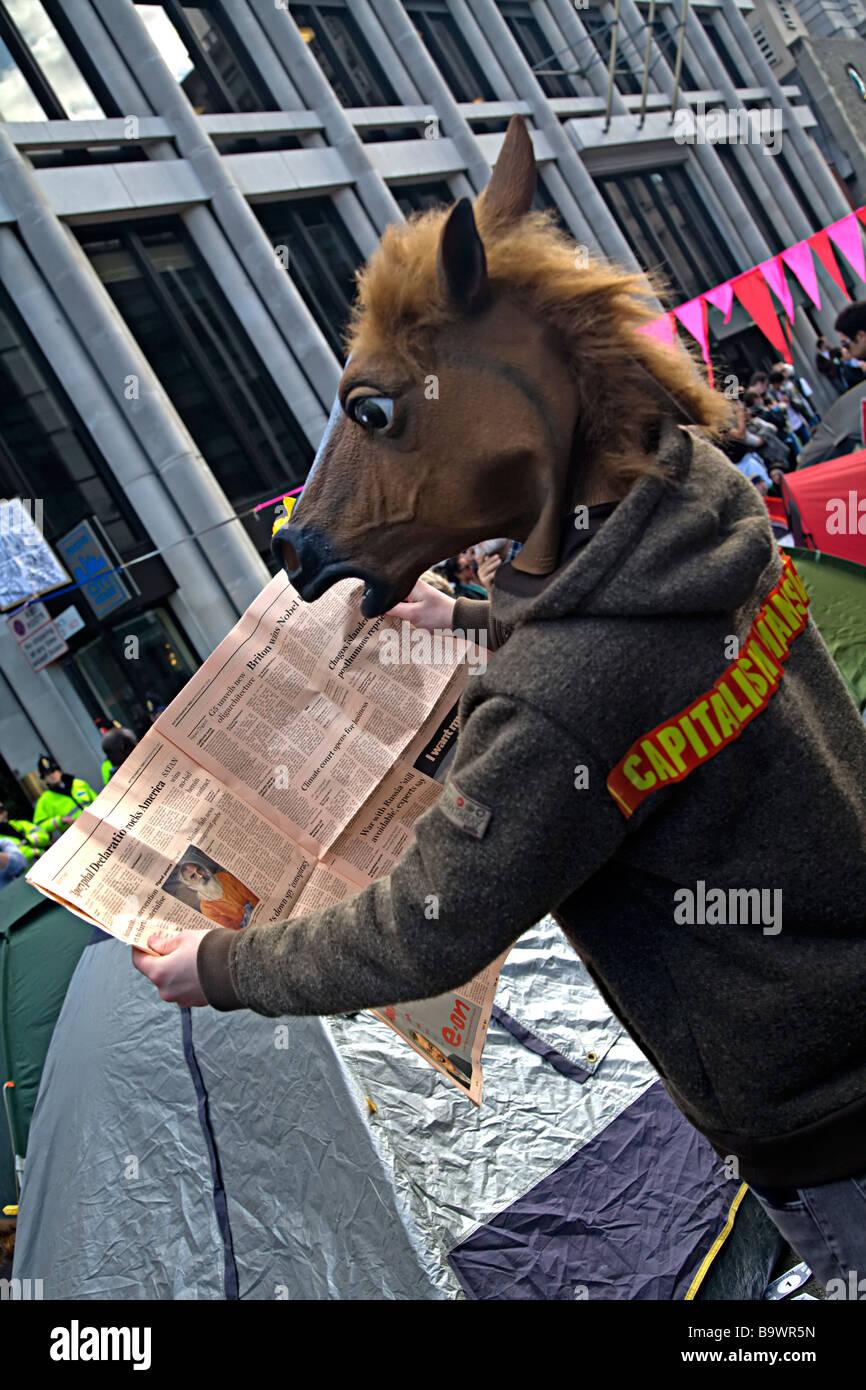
<point>40,949</point>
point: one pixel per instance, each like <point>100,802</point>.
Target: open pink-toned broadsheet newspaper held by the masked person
<point>288,774</point>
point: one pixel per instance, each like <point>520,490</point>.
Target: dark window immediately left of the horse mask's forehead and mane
<point>322,259</point>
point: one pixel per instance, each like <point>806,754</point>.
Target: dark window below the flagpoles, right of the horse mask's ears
<point>662,218</point>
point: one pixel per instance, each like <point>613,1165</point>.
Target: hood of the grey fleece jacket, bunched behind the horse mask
<point>697,544</point>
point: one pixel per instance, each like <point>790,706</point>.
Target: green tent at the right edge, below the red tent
<point>838,600</point>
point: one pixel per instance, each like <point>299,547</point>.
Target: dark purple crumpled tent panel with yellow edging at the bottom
<point>591,1229</point>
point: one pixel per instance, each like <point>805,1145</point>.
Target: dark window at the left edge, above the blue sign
<point>45,450</point>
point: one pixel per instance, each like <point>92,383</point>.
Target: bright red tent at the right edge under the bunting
<point>828,505</point>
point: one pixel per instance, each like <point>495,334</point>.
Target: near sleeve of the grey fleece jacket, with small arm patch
<point>512,836</point>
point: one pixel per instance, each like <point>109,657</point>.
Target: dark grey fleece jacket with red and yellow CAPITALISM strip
<point>758,1031</point>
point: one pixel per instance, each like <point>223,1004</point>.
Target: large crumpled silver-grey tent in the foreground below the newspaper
<point>351,1170</point>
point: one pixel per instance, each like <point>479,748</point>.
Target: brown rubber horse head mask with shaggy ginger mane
<point>496,380</point>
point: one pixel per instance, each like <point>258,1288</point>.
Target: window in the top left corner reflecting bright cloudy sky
<point>34,58</point>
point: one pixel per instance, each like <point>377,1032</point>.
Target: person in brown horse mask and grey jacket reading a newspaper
<point>661,750</point>
